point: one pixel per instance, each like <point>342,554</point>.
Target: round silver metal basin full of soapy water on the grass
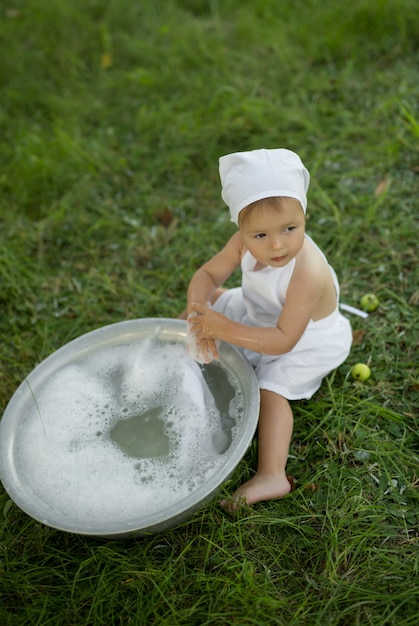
<point>120,433</point>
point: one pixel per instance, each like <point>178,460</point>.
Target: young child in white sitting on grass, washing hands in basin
<point>285,316</point>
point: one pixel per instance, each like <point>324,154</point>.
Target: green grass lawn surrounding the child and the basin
<point>112,118</point>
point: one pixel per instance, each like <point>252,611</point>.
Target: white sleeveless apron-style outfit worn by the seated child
<point>324,345</point>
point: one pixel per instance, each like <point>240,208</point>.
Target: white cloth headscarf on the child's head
<point>257,174</point>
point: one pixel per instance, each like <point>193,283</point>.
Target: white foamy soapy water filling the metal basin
<point>127,431</point>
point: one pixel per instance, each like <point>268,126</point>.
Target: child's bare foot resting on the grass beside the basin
<point>258,488</point>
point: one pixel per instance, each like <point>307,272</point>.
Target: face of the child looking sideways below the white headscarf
<point>274,235</point>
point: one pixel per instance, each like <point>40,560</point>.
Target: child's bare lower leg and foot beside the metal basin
<point>274,436</point>
